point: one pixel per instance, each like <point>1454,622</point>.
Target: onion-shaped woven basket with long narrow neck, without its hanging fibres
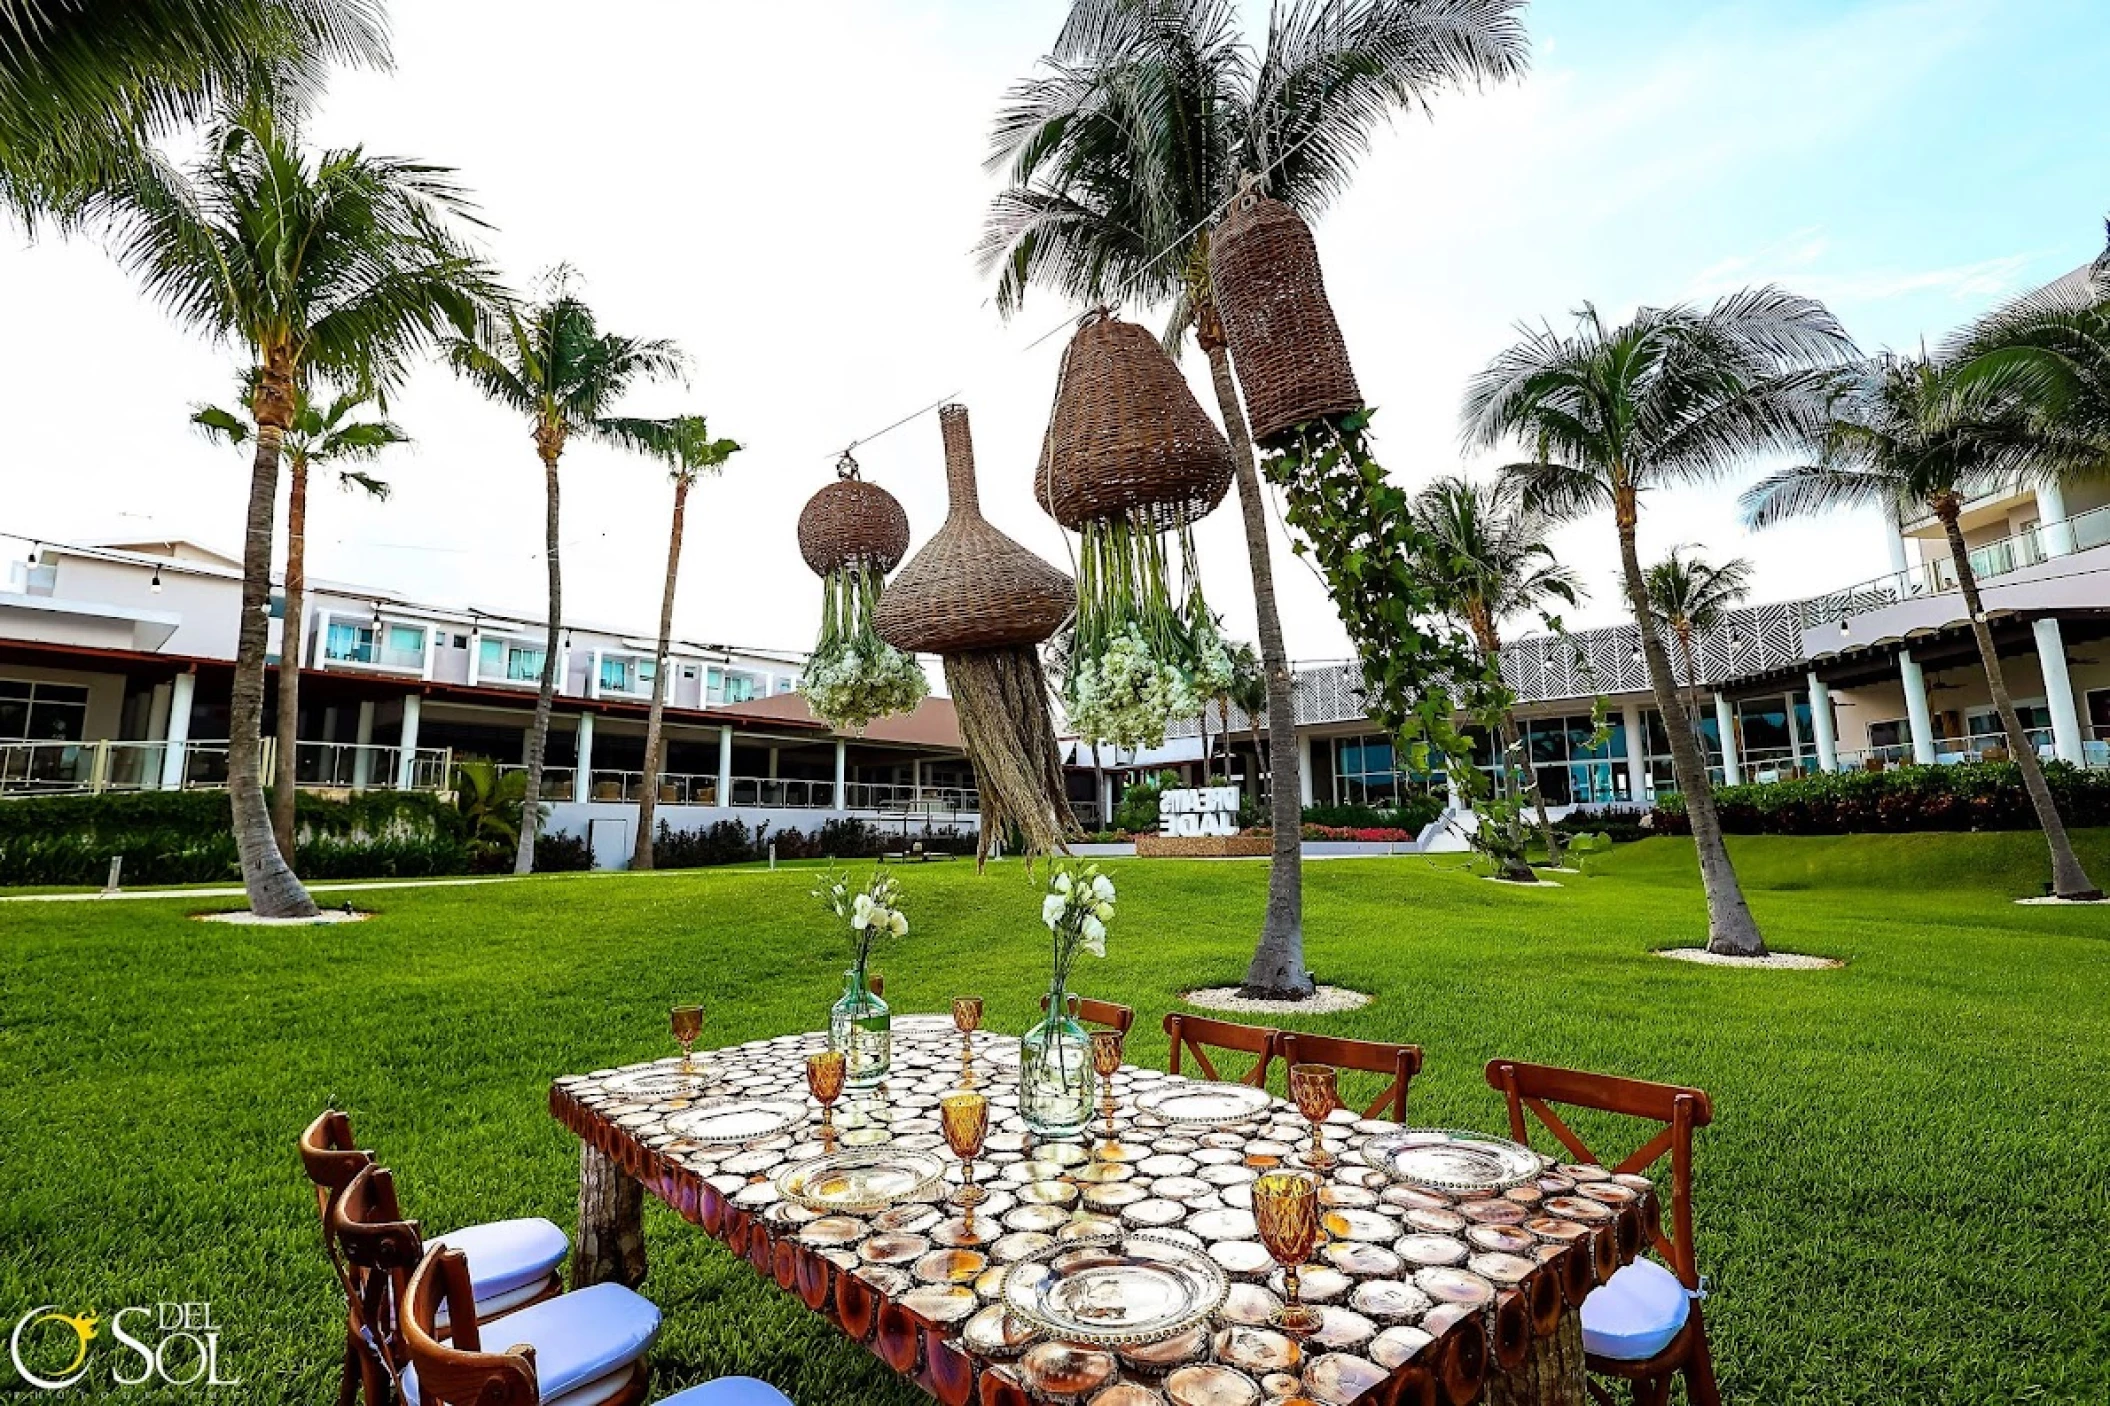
<point>972,588</point>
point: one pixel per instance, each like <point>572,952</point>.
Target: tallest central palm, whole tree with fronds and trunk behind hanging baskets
<point>1130,145</point>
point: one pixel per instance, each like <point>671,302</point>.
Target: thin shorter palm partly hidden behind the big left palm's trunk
<point>330,438</point>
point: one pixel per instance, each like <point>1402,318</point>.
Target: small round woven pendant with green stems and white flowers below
<point>851,535</point>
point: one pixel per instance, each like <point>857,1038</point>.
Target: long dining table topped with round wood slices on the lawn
<point>1430,1297</point>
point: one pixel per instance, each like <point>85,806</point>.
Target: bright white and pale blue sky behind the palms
<point>794,204</point>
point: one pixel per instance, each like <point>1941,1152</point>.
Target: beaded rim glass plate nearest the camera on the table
<point>1090,1299</point>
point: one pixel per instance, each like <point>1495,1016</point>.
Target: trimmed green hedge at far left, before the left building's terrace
<point>189,837</point>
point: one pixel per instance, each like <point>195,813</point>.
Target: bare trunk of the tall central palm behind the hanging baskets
<point>1278,968</point>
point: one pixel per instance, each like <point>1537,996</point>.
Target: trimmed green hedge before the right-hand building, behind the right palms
<point>1961,797</point>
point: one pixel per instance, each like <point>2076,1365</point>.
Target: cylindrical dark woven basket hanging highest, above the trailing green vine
<point>1282,332</point>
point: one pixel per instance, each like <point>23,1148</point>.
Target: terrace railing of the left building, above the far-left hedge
<point>54,767</point>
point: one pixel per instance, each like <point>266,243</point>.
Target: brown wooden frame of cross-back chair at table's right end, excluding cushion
<point>1535,1088</point>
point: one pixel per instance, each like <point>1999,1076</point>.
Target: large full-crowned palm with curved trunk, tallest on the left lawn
<point>334,267</point>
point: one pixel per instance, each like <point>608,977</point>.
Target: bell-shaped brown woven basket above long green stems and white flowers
<point>1128,438</point>
